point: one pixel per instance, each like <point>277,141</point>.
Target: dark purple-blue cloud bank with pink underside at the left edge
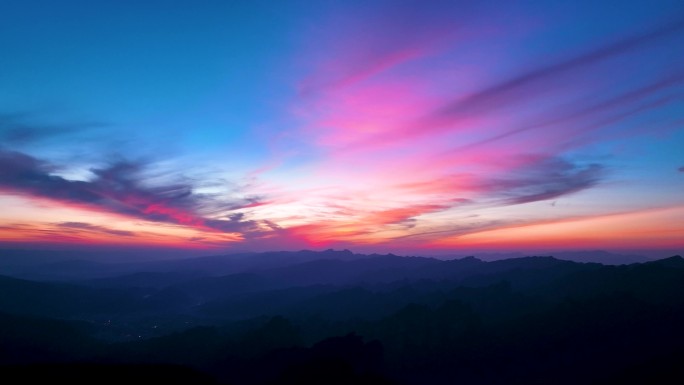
<point>122,188</point>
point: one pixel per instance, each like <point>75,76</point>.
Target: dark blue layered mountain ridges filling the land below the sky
<point>342,318</point>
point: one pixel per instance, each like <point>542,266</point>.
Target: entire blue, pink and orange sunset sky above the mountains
<point>386,126</point>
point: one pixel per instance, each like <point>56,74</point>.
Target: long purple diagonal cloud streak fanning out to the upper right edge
<point>537,86</point>
